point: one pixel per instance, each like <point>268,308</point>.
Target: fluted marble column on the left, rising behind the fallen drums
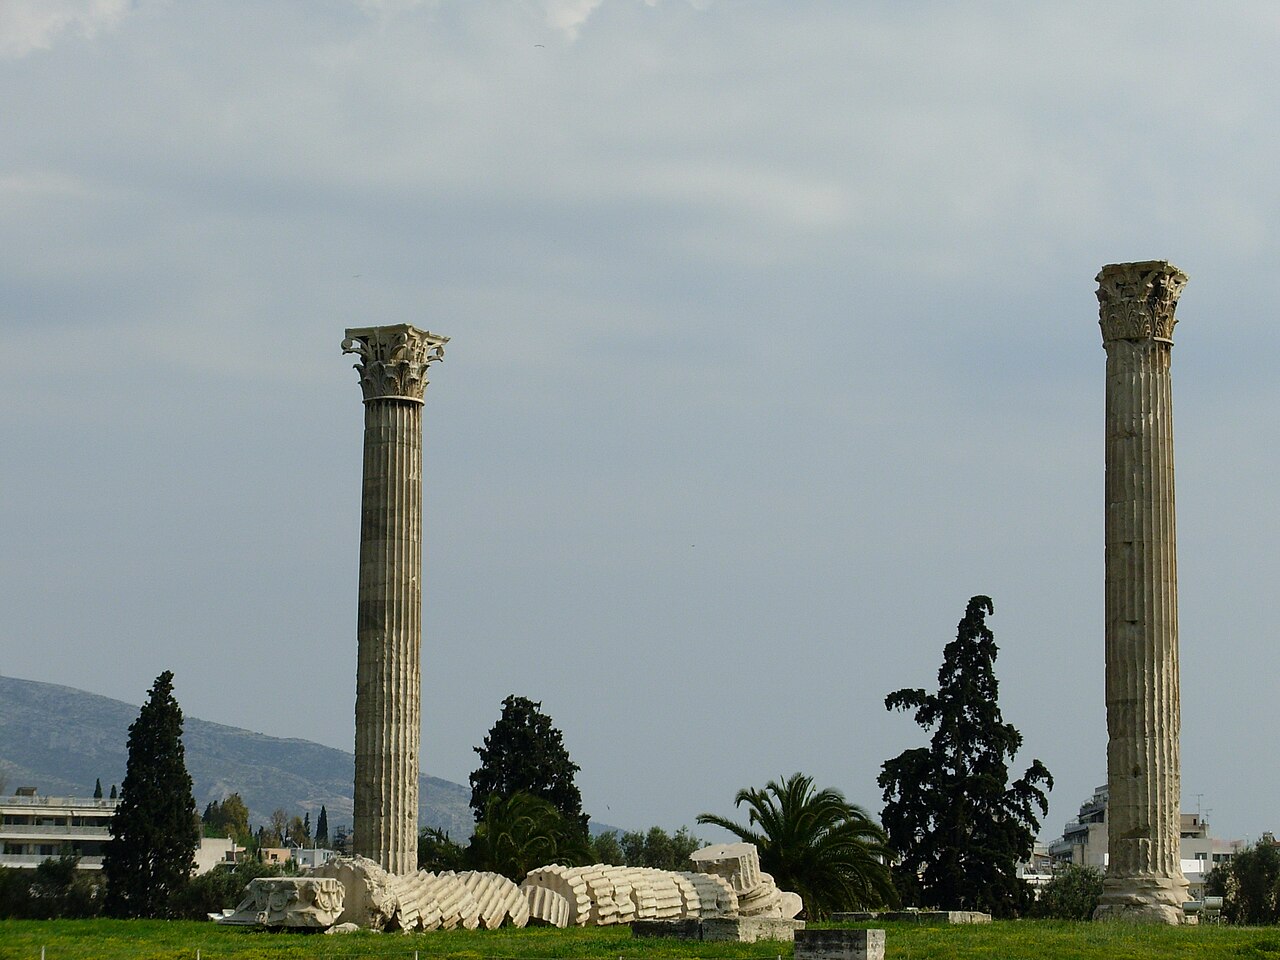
<point>392,367</point>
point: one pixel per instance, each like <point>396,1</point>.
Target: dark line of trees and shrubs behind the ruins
<point>953,828</point>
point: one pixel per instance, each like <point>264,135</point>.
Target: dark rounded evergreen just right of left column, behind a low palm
<point>525,753</point>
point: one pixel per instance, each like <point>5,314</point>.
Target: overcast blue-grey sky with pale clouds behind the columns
<point>774,341</point>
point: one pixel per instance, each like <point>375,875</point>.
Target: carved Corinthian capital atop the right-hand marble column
<point>1137,301</point>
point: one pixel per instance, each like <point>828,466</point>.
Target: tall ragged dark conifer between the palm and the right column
<point>958,825</point>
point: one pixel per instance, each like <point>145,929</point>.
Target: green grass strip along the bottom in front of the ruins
<point>1030,940</point>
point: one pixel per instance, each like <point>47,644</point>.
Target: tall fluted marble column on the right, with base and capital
<point>1145,881</point>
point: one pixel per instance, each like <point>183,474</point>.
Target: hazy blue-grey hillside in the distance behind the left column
<point>61,740</point>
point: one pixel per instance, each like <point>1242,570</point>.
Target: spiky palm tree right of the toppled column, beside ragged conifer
<point>817,844</point>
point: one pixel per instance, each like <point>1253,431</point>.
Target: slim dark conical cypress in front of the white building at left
<point>154,830</point>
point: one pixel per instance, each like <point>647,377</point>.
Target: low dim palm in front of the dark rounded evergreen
<point>522,833</point>
